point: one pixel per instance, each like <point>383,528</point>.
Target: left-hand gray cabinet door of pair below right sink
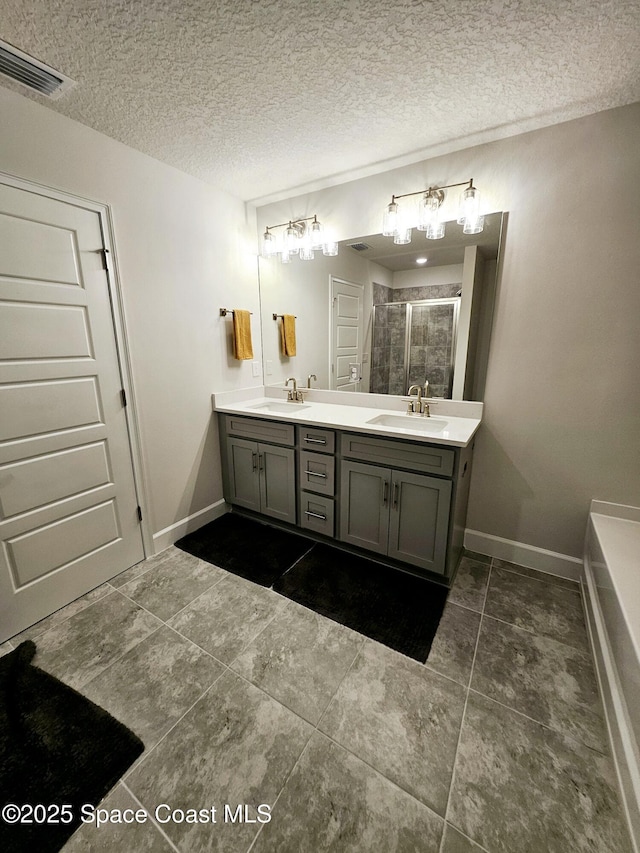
<point>364,505</point>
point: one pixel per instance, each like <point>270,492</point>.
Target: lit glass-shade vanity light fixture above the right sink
<point>397,225</point>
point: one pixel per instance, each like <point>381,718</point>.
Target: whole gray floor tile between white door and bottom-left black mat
<point>86,644</point>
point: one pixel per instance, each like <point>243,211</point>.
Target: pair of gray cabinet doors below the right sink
<point>397,513</point>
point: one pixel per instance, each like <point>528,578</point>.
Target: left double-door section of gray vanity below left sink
<point>259,476</point>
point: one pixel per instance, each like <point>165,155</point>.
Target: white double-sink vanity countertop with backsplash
<point>452,422</point>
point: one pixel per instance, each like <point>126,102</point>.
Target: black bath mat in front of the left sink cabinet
<point>245,547</point>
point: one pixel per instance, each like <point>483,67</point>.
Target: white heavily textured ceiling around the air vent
<point>262,97</point>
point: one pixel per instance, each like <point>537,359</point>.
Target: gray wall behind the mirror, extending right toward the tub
<point>562,399</point>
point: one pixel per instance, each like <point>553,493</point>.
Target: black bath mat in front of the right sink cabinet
<point>396,609</point>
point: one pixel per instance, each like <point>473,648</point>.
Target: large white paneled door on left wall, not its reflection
<point>68,507</point>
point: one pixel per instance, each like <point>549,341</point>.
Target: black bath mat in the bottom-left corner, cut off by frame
<point>56,749</point>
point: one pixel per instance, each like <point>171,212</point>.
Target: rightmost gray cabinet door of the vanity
<point>419,520</point>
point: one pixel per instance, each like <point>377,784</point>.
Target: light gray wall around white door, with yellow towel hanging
<point>184,250</point>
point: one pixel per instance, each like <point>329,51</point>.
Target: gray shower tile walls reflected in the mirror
<point>430,340</point>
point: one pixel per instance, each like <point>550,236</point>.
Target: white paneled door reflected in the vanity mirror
<point>347,302</point>
